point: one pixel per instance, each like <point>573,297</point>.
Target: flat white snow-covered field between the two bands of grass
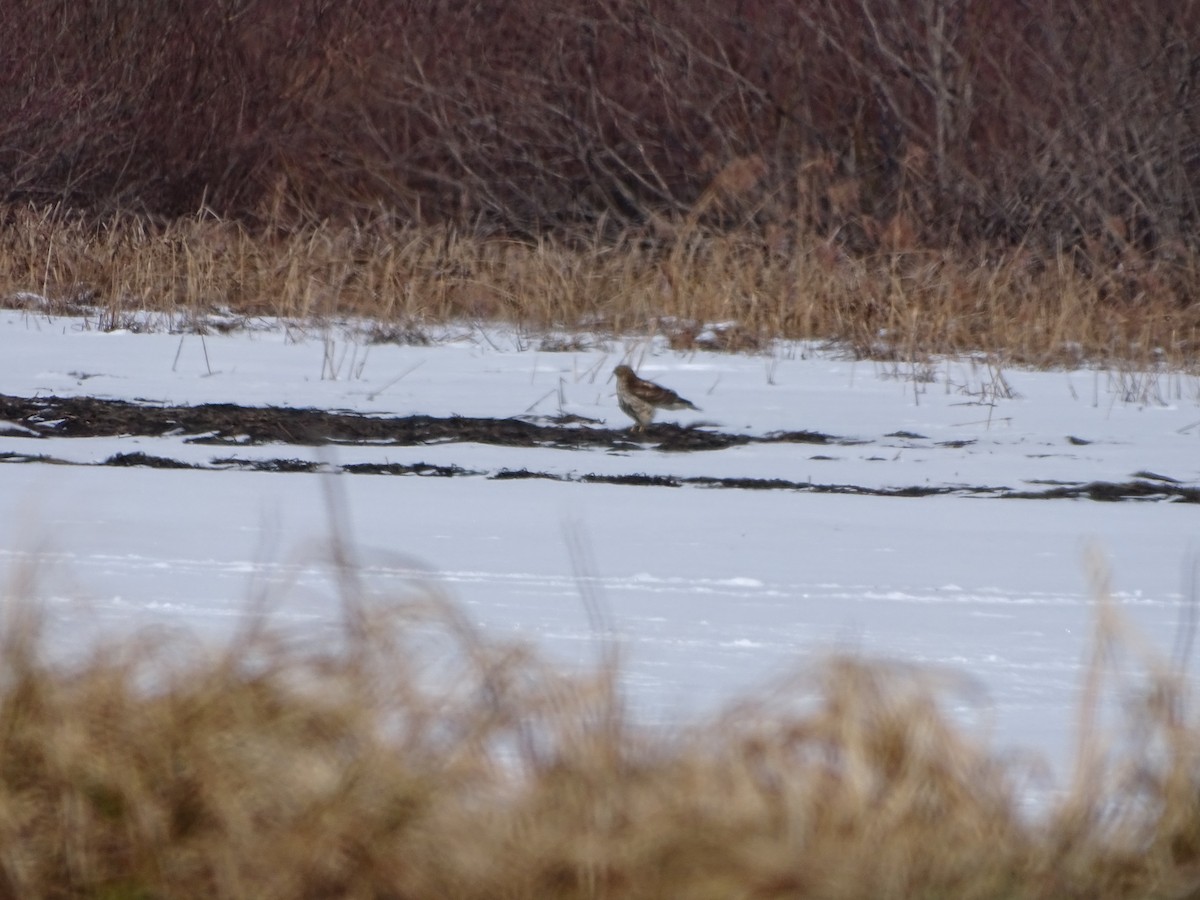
<point>713,592</point>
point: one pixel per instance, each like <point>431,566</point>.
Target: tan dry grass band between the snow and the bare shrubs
<point>904,305</point>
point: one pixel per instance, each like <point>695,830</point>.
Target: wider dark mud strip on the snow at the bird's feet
<point>229,424</point>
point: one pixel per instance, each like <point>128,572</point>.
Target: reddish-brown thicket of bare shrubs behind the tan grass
<point>890,124</point>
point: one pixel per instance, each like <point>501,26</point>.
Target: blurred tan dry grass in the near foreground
<point>413,757</point>
